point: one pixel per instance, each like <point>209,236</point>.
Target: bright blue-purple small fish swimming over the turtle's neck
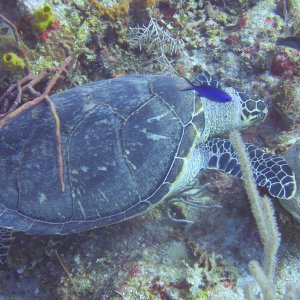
<point>208,91</point>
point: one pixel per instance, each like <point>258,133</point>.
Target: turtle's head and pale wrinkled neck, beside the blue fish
<point>243,111</point>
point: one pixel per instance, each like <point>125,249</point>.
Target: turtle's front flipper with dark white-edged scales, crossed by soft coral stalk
<point>269,171</point>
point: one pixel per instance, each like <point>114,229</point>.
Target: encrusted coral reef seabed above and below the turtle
<point>151,257</point>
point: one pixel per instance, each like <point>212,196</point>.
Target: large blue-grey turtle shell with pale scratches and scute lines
<point>124,144</point>
